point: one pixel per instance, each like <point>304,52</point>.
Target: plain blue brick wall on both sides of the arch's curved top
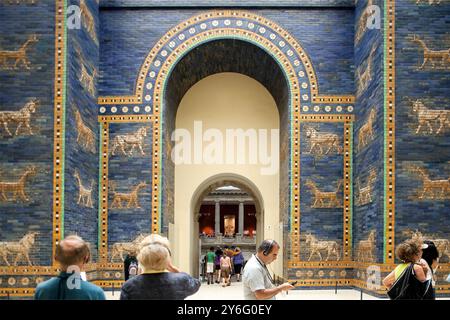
<point>127,37</point>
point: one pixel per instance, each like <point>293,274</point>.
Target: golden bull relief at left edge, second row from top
<point>19,118</point>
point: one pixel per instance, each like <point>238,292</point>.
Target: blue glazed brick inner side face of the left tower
<point>81,50</point>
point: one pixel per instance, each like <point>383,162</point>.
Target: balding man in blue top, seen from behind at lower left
<point>72,254</point>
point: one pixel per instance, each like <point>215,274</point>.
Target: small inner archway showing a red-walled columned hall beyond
<point>228,215</point>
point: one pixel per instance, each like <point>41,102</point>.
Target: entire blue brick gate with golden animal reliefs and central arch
<point>322,124</point>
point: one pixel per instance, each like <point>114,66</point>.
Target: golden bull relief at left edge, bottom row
<point>20,249</point>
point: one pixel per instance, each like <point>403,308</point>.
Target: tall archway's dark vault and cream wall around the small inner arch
<point>224,84</point>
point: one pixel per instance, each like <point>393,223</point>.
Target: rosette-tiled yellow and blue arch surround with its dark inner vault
<point>215,42</point>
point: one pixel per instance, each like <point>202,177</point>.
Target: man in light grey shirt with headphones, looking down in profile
<point>257,281</point>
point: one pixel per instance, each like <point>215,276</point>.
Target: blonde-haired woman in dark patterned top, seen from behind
<point>157,282</point>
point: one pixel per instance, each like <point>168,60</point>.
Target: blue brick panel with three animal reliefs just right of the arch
<point>326,224</point>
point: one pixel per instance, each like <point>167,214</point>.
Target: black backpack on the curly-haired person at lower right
<point>407,287</point>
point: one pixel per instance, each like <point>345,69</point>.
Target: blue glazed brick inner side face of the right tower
<point>367,157</point>
